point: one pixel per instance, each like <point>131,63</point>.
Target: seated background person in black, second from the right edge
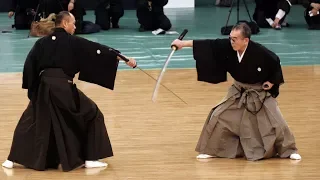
<point>272,13</point>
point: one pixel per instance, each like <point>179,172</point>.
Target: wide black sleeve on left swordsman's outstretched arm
<point>97,64</point>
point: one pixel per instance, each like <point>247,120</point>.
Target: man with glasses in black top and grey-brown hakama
<point>248,121</point>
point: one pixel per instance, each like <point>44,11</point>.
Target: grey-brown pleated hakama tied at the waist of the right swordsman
<point>247,123</point>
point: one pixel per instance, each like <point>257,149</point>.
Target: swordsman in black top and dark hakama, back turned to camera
<point>61,125</point>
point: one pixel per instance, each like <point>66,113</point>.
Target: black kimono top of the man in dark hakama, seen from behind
<point>95,63</point>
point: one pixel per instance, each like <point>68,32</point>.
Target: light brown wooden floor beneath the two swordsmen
<point>157,140</point>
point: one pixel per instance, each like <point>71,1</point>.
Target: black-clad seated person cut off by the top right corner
<point>311,13</point>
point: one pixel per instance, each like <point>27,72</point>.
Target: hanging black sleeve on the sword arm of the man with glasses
<point>209,62</point>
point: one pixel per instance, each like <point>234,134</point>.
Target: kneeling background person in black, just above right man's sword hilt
<point>151,15</point>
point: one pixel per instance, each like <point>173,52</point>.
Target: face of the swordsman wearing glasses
<point>238,42</point>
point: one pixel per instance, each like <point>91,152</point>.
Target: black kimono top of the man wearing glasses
<point>214,58</point>
